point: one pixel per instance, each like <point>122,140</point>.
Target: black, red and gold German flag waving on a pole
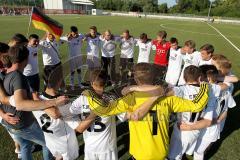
<point>43,22</point>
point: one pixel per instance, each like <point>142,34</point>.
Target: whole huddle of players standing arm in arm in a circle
<point>199,86</point>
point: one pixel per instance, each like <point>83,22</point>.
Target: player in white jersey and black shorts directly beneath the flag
<point>51,59</point>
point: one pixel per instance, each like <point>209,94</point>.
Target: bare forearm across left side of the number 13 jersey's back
<point>83,125</point>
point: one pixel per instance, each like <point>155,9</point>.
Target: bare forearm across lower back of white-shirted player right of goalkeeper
<point>203,123</point>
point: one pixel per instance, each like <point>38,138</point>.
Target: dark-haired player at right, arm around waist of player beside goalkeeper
<point>211,133</point>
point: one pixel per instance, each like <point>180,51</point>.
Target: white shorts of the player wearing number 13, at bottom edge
<point>111,155</point>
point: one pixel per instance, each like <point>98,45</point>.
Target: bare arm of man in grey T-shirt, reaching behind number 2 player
<point>24,104</point>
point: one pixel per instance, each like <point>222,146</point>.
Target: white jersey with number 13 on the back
<point>100,137</point>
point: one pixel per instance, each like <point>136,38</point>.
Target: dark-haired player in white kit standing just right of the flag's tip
<point>74,40</point>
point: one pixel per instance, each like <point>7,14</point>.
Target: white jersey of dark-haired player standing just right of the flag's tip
<point>74,45</point>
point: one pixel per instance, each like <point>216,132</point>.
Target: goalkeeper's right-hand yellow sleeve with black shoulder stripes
<point>177,104</point>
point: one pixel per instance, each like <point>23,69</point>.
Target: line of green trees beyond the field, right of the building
<point>223,8</point>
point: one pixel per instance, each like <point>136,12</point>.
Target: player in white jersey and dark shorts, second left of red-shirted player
<point>127,44</point>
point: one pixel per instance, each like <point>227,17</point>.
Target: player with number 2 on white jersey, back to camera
<point>60,137</point>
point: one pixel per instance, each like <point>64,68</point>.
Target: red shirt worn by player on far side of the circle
<point>161,57</point>
